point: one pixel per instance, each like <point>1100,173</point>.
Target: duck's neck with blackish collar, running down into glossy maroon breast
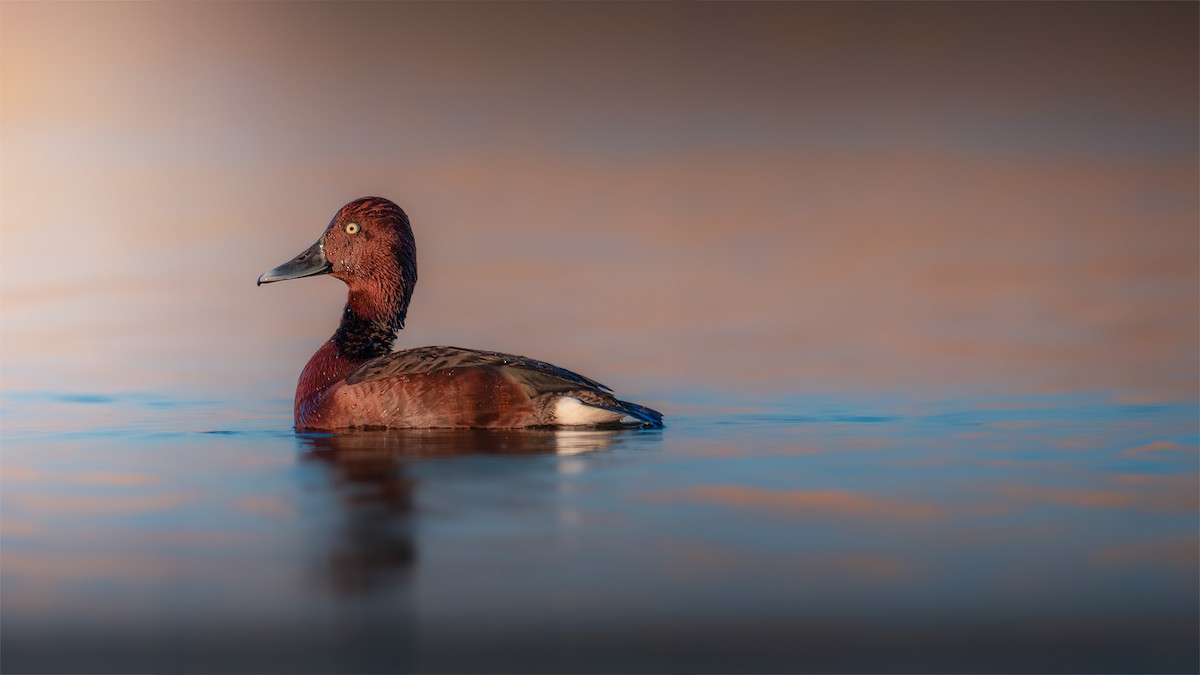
<point>357,341</point>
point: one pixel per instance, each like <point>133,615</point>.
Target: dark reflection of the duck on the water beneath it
<point>373,480</point>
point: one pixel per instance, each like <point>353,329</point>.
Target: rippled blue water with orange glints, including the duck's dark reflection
<point>1036,534</point>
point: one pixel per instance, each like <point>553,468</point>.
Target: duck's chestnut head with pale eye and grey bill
<point>370,247</point>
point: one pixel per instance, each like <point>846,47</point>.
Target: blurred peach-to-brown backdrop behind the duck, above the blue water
<point>746,200</point>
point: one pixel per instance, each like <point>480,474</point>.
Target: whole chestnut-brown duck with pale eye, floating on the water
<point>357,381</point>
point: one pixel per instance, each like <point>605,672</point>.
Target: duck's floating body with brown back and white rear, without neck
<point>453,387</point>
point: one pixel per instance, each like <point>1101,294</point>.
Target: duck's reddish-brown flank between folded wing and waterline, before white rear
<point>475,397</point>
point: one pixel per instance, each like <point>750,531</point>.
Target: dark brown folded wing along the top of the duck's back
<point>541,377</point>
